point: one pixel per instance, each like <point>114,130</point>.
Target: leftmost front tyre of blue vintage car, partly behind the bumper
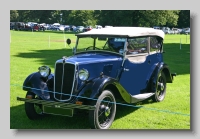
<point>33,111</point>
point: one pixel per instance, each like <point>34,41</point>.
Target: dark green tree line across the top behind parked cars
<point>147,18</point>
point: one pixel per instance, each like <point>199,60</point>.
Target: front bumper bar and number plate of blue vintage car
<point>57,108</point>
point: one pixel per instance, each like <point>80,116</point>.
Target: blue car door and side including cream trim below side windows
<point>137,70</point>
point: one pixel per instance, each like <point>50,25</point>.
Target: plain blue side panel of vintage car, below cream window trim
<point>137,77</point>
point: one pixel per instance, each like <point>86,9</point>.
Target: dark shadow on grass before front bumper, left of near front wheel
<point>19,120</point>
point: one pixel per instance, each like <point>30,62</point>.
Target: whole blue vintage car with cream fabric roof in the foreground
<point>108,66</point>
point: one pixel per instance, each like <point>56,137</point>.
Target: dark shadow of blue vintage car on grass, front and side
<point>80,120</point>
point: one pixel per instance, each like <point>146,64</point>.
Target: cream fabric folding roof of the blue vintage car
<point>122,32</point>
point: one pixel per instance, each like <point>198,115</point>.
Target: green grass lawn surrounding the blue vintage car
<point>29,50</point>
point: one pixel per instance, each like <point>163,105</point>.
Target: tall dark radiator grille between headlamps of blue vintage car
<point>64,78</point>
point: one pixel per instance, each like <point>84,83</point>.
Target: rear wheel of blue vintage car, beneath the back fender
<point>160,88</point>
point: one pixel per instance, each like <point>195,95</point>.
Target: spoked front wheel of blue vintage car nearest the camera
<point>104,114</point>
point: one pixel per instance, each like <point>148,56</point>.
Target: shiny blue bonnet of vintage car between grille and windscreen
<point>108,64</point>
